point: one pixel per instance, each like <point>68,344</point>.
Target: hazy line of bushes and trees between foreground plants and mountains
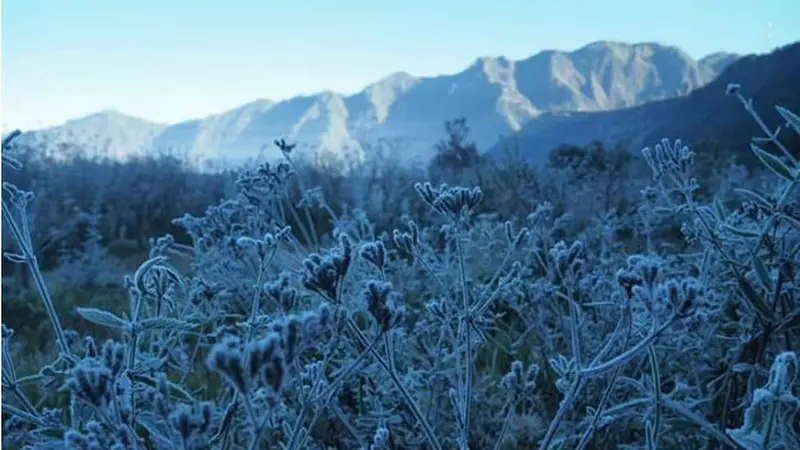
<point>126,203</point>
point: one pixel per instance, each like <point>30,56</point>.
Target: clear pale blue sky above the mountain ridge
<point>172,60</point>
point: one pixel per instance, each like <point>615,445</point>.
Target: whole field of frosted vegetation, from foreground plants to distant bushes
<point>611,298</point>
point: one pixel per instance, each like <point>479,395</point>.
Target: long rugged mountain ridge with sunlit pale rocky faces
<point>498,96</point>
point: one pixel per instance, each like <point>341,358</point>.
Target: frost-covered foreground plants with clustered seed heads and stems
<point>455,330</point>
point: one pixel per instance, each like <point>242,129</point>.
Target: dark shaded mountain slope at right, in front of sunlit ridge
<point>705,114</point>
